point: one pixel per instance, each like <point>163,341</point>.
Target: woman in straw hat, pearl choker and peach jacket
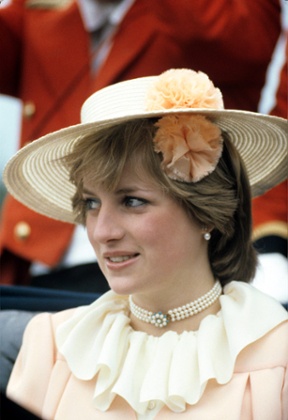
<point>159,173</point>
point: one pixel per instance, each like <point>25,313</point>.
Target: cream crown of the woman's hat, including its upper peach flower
<point>175,90</point>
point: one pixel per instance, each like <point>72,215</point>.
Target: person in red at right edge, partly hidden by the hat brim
<point>270,228</point>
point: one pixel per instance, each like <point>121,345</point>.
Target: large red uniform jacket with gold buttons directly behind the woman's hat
<point>46,63</point>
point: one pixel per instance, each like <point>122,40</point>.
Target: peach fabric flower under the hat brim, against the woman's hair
<point>191,146</point>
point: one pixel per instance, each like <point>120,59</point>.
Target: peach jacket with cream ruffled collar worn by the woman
<point>89,363</point>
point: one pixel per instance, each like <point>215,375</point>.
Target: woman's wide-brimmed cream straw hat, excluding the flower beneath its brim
<point>37,177</point>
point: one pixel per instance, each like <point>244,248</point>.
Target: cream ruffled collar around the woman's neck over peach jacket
<point>172,369</point>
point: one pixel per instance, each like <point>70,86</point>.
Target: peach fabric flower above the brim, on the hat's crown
<point>183,88</point>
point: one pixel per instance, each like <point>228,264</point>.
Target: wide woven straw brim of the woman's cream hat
<point>37,177</point>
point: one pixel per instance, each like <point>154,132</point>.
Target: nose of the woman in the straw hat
<point>106,226</point>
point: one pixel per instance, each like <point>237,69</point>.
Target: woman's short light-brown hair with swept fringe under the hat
<point>221,201</point>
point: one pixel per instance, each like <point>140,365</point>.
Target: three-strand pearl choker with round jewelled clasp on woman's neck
<point>177,314</point>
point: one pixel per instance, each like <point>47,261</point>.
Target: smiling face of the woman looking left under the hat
<point>144,241</point>
